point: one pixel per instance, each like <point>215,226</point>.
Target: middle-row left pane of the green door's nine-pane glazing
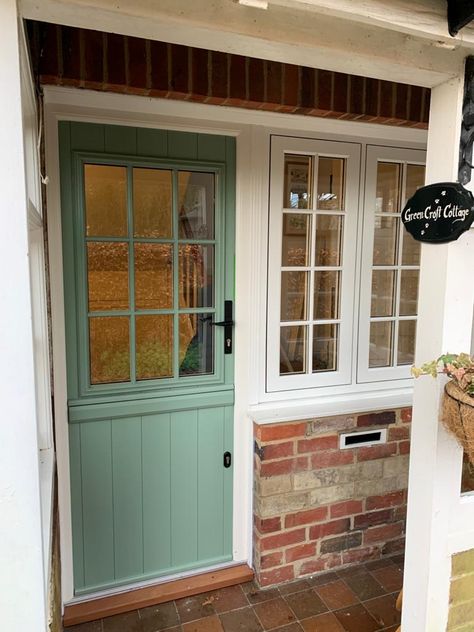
<point>107,275</point>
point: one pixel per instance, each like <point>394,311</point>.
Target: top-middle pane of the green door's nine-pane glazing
<point>152,195</point>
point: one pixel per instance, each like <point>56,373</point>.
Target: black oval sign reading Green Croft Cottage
<point>439,212</point>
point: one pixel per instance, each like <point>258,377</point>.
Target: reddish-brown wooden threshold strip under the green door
<point>152,595</point>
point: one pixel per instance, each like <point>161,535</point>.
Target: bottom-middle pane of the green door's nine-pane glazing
<point>154,346</point>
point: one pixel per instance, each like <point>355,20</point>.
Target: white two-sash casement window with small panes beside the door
<point>327,325</point>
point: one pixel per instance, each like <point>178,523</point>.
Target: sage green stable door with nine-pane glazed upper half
<point>148,234</point>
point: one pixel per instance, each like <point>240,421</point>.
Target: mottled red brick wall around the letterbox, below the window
<point>316,506</point>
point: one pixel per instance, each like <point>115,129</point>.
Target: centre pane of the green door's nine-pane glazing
<point>153,276</point>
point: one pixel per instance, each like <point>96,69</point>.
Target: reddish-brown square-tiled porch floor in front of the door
<point>356,599</point>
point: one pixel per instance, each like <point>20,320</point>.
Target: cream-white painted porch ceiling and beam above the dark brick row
<point>302,32</point>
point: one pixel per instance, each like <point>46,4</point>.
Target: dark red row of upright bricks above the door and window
<point>82,58</point>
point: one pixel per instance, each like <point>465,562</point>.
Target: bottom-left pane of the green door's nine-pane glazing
<point>109,346</point>
